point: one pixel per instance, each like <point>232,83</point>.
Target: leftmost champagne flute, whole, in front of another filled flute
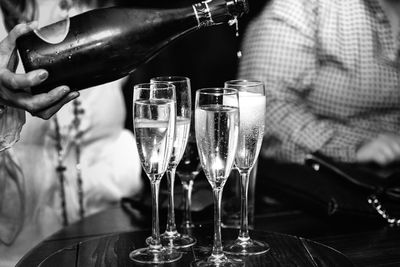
<point>154,116</point>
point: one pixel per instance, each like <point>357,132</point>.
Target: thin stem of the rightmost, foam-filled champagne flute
<point>244,223</point>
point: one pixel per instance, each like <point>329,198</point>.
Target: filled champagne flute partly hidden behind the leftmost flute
<point>171,236</point>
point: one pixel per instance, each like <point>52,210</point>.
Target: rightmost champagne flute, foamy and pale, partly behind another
<point>251,131</point>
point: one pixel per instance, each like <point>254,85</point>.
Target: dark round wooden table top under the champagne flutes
<point>114,249</point>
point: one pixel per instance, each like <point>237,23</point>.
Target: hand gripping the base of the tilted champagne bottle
<point>15,88</point>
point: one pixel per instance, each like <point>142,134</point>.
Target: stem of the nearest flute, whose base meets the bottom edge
<point>217,246</point>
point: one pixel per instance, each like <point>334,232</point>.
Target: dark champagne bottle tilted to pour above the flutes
<point>106,44</point>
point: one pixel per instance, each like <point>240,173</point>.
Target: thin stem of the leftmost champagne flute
<point>155,242</point>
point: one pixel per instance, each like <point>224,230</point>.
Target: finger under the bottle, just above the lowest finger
<point>37,103</point>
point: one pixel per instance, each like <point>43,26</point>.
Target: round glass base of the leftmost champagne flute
<point>155,256</point>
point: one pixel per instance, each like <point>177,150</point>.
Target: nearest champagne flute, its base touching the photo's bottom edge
<point>217,129</point>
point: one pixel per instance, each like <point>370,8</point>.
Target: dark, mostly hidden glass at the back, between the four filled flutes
<point>187,171</point>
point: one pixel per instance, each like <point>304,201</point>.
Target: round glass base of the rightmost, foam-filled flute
<point>246,247</point>
